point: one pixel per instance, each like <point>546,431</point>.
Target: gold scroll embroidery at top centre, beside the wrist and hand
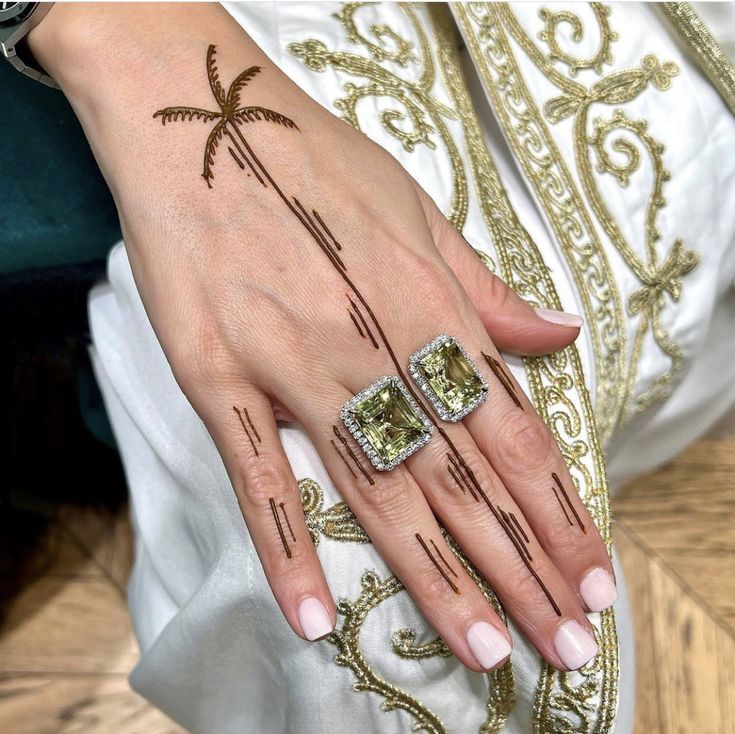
<point>425,113</point>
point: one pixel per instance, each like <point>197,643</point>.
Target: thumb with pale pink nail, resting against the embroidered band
<point>511,323</point>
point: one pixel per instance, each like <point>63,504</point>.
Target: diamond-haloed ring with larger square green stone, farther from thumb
<point>387,422</point>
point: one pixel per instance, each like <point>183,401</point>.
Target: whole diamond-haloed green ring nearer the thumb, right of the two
<point>448,377</point>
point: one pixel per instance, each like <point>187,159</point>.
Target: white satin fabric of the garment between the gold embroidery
<point>216,654</point>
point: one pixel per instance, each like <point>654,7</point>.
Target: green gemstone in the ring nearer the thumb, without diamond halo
<point>451,376</point>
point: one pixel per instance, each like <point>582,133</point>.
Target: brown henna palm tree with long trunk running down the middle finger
<point>231,118</point>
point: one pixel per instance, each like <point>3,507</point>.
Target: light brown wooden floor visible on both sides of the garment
<point>66,643</point>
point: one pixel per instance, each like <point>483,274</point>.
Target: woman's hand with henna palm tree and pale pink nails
<point>286,262</point>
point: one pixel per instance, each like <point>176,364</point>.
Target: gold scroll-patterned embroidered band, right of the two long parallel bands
<point>554,186</point>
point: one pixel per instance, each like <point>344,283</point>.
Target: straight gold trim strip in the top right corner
<point>711,57</point>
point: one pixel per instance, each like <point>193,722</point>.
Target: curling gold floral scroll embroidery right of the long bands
<point>660,275</point>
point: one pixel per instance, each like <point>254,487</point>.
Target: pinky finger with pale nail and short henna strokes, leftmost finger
<point>270,501</point>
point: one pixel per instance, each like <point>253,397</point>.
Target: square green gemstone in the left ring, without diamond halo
<point>389,422</point>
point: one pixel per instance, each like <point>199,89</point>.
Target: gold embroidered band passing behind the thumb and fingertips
<point>557,387</point>
